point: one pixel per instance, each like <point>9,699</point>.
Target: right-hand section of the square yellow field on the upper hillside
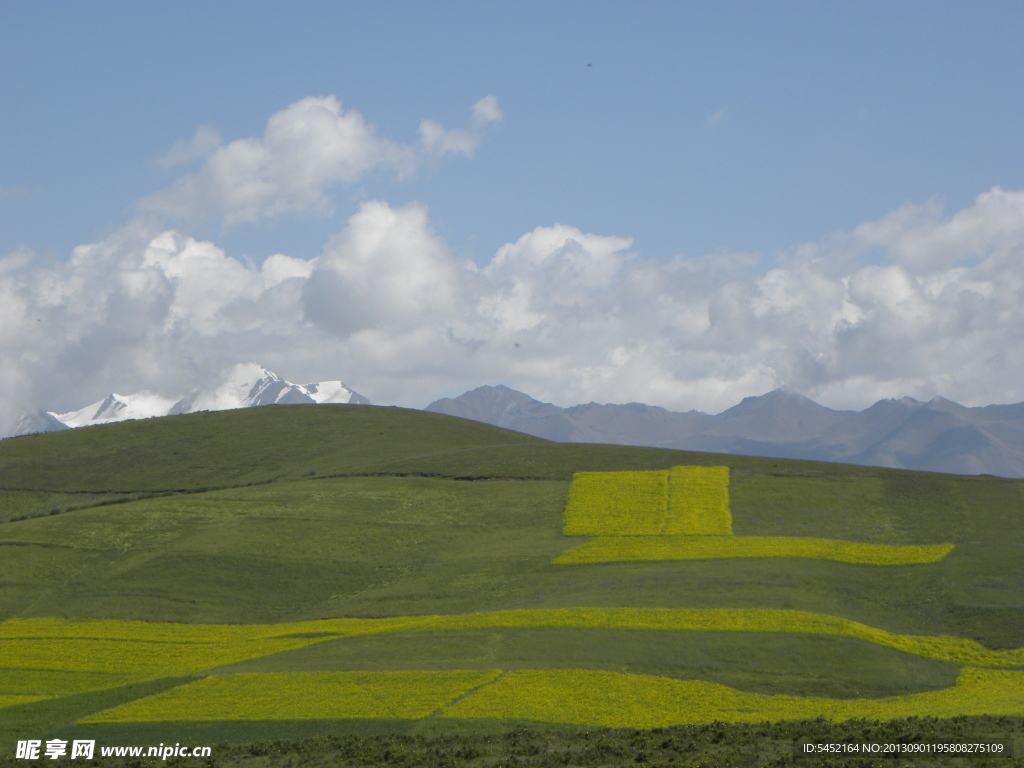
<point>699,502</point>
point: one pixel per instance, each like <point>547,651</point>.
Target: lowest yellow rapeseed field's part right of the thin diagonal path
<point>621,701</point>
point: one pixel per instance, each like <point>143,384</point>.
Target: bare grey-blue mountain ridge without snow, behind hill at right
<point>938,436</point>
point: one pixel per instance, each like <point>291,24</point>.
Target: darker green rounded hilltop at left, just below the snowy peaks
<point>235,448</point>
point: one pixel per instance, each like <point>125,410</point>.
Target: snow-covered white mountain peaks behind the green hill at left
<point>246,386</point>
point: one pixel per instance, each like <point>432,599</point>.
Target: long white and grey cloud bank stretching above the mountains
<point>564,315</point>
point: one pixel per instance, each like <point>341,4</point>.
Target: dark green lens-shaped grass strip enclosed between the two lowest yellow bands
<point>759,663</point>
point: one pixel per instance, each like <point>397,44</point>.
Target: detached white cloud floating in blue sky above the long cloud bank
<point>307,151</point>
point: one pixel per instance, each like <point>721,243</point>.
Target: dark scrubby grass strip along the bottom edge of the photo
<point>756,746</point>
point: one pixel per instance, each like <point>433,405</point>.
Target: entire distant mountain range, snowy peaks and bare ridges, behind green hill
<point>938,436</point>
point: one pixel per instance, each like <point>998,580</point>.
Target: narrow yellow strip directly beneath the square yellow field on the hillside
<point>634,548</point>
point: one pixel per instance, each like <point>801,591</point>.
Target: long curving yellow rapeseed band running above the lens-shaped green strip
<point>109,663</point>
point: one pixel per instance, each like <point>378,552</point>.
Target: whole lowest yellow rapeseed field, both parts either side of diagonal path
<point>578,697</point>
